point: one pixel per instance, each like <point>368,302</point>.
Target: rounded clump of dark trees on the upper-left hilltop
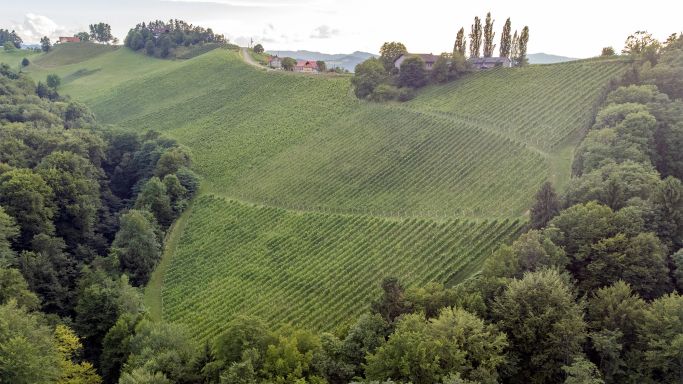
<point>159,38</point>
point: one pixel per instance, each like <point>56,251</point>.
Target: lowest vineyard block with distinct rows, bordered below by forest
<point>313,270</point>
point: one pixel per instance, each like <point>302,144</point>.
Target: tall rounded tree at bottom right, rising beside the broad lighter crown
<point>544,325</point>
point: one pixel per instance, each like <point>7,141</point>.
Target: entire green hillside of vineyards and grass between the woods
<point>311,196</point>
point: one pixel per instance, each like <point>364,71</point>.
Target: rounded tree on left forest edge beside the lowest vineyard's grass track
<point>136,245</point>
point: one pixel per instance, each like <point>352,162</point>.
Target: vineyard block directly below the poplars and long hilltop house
<point>539,105</point>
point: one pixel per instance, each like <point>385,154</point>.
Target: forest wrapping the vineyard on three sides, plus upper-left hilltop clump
<point>590,293</point>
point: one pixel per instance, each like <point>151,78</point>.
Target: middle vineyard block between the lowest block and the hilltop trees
<point>392,161</point>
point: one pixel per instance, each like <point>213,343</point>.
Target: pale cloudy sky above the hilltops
<point>574,28</point>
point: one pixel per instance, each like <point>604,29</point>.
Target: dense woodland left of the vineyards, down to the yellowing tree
<point>83,212</point>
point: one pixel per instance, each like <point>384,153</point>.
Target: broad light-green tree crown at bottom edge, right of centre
<point>422,351</point>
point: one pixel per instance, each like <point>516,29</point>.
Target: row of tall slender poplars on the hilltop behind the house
<point>512,46</point>
